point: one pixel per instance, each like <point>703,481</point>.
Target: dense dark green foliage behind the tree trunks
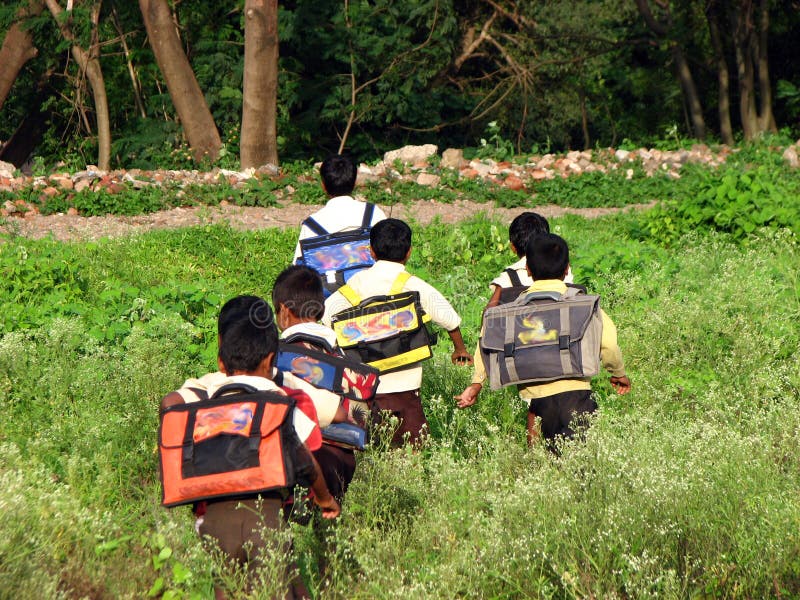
<point>560,74</point>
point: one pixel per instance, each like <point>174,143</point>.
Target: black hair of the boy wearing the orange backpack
<point>247,333</point>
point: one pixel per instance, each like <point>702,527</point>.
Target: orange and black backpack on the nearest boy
<point>238,443</point>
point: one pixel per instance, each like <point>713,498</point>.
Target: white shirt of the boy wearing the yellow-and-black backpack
<point>377,281</point>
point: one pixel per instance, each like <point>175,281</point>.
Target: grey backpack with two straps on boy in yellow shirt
<point>541,337</point>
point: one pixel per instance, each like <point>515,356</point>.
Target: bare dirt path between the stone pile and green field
<point>64,227</point>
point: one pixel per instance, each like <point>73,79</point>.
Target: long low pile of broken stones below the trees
<point>421,164</point>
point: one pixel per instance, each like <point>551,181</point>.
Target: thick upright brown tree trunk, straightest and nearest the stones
<point>259,135</point>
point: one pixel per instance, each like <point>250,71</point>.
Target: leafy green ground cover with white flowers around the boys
<point>687,487</point>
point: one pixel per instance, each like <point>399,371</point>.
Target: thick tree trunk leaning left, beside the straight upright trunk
<point>195,117</point>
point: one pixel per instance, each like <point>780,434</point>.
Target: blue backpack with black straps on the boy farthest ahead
<point>338,256</point>
